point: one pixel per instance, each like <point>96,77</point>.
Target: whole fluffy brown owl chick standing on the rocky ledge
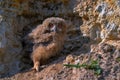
<point>48,39</point>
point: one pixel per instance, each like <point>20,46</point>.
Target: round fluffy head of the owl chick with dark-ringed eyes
<point>55,25</point>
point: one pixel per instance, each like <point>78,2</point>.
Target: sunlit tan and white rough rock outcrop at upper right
<point>101,19</point>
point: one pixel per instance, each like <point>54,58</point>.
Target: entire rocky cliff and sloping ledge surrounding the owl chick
<point>93,37</point>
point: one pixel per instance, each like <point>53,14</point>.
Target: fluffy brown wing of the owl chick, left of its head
<point>39,35</point>
